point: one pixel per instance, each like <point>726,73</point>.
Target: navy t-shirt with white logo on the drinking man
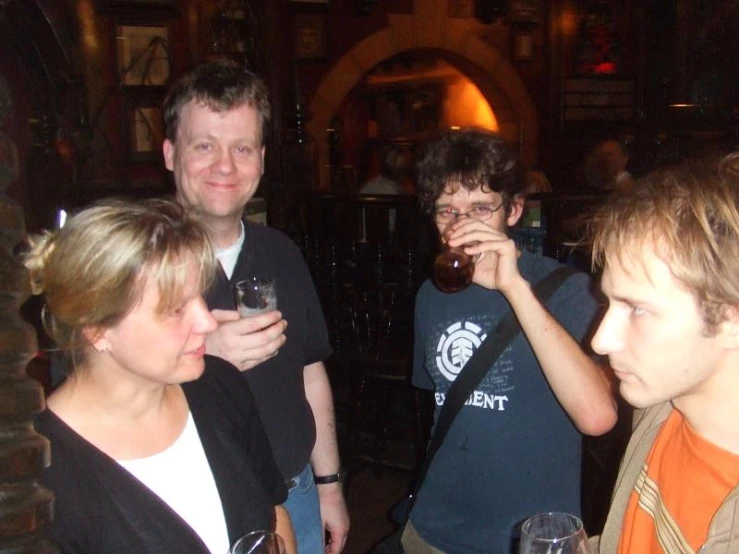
<point>512,450</point>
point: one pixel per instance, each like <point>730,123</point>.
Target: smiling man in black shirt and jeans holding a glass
<point>215,117</point>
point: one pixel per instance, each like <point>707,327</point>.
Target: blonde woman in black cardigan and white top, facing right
<point>155,447</point>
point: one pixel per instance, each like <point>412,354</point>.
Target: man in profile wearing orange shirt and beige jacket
<point>670,255</point>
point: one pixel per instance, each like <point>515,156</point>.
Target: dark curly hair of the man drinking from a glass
<point>471,158</point>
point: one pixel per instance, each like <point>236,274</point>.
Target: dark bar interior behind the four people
<point>352,83</point>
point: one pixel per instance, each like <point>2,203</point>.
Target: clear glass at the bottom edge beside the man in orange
<point>553,533</point>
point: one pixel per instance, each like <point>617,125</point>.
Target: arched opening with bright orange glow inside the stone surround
<point>394,109</point>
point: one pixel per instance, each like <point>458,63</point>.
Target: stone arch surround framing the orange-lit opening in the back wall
<point>429,28</point>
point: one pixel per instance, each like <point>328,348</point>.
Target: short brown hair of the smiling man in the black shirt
<point>221,85</point>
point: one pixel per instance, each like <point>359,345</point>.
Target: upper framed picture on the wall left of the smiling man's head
<point>143,55</point>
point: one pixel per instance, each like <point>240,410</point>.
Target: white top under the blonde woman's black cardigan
<point>181,477</point>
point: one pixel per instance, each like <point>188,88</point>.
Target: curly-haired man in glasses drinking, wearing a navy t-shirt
<point>515,447</point>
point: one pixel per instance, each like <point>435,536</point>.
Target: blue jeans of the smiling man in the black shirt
<point>305,512</point>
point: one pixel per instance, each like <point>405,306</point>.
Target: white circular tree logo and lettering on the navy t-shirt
<point>456,345</point>
